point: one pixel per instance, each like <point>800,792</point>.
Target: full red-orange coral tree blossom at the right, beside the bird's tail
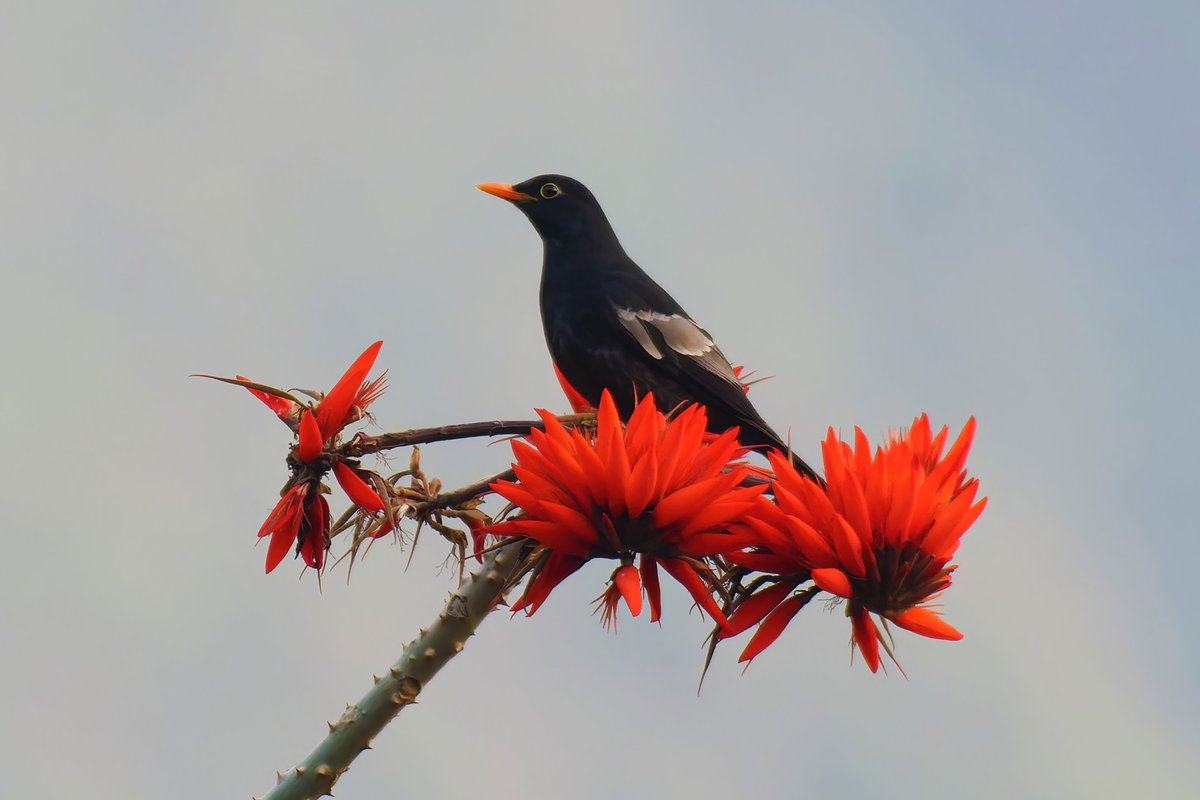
<point>881,534</point>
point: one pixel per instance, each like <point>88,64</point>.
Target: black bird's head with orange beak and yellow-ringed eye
<point>561,208</point>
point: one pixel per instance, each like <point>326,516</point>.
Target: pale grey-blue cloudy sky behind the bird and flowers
<point>986,212</point>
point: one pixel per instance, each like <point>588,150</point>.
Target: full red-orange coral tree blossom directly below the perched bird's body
<point>658,490</point>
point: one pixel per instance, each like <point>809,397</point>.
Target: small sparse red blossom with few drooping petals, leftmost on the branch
<point>302,516</point>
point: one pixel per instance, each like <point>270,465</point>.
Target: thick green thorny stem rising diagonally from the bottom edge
<point>437,645</point>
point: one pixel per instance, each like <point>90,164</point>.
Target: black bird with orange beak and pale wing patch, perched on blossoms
<point>609,326</point>
